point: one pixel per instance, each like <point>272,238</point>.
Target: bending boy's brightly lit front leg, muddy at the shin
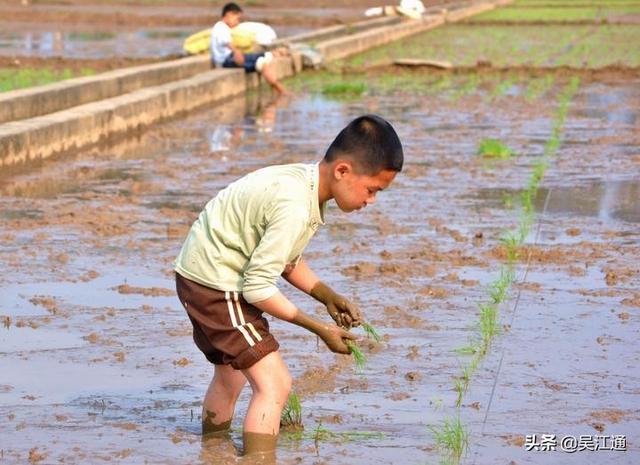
<point>271,382</point>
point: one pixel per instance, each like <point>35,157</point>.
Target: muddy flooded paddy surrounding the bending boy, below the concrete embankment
<point>97,360</point>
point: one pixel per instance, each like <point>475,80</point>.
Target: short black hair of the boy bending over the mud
<point>371,143</point>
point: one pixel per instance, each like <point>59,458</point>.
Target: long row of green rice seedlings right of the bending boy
<point>452,435</point>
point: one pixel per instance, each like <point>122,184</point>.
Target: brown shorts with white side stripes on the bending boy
<point>226,328</point>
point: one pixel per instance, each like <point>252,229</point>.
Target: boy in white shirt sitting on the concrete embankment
<point>225,55</point>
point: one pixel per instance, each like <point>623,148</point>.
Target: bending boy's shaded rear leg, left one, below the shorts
<point>220,399</point>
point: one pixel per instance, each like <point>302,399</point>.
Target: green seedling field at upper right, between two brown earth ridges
<point>509,45</point>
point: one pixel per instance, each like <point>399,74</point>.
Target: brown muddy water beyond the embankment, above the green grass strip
<point>98,31</point>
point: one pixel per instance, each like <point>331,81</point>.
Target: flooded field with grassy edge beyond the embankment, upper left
<point>42,42</point>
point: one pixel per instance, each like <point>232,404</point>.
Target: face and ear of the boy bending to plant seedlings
<point>353,191</point>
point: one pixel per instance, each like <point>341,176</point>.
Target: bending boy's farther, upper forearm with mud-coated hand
<point>344,312</point>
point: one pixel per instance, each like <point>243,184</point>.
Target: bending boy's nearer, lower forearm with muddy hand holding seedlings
<point>281,307</point>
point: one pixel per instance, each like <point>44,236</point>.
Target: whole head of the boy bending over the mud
<point>363,159</point>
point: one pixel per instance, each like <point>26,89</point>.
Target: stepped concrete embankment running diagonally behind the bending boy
<point>40,122</point>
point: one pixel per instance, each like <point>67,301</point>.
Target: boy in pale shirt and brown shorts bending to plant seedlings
<point>251,233</point>
